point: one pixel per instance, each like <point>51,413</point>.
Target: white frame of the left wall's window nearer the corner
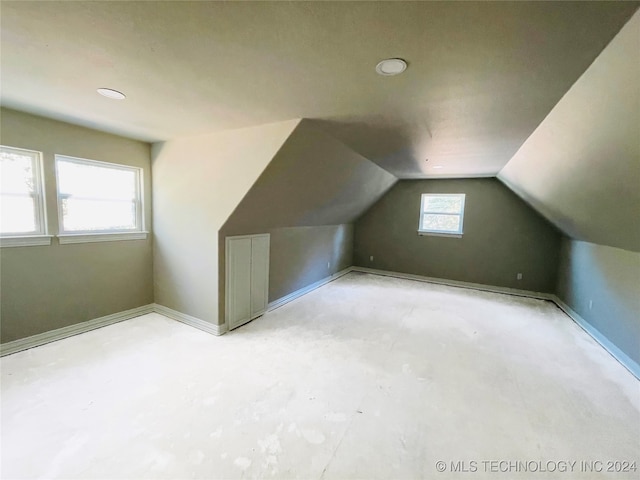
<point>82,236</point>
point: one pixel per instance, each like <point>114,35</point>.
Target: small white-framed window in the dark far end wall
<point>442,214</point>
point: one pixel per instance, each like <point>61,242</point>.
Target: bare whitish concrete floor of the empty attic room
<point>366,377</point>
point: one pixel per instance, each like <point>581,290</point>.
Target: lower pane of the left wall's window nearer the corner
<point>88,215</point>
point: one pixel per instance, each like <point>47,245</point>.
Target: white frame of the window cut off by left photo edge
<point>38,237</point>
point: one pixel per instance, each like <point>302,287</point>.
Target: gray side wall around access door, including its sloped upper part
<point>306,198</point>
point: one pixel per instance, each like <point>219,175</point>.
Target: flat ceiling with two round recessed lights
<point>481,76</point>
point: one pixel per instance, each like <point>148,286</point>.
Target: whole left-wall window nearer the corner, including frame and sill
<point>98,201</point>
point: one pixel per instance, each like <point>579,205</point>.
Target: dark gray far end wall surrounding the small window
<point>502,236</point>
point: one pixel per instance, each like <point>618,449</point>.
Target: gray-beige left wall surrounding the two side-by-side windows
<point>49,287</point>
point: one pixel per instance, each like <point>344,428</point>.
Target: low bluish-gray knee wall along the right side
<point>610,278</point>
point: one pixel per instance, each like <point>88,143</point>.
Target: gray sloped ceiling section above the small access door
<point>313,180</point>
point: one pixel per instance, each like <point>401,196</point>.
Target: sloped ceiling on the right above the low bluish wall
<point>581,167</point>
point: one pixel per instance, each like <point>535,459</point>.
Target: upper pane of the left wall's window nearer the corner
<point>94,181</point>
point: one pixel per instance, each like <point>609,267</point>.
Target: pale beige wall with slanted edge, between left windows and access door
<point>197,183</point>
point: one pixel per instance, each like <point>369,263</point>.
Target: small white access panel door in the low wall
<point>247,278</point>
